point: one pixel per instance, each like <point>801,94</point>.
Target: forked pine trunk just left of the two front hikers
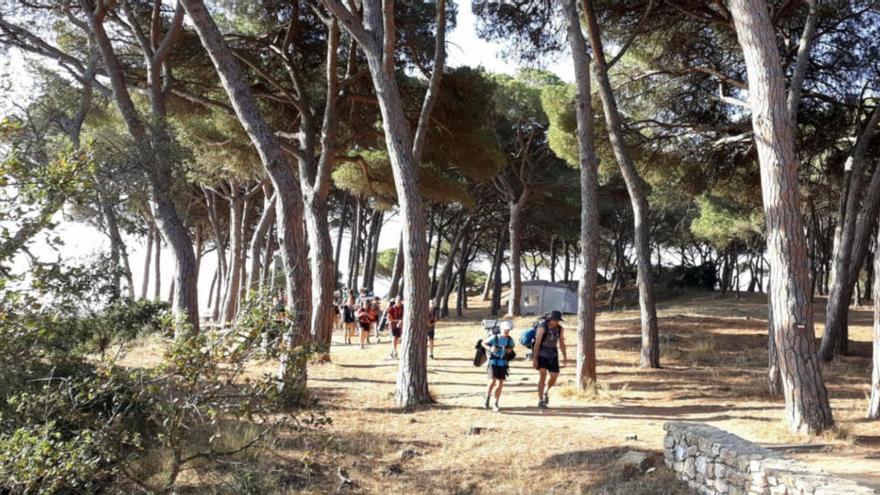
<point>376,38</point>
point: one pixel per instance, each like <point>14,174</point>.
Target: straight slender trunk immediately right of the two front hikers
<point>586,317</point>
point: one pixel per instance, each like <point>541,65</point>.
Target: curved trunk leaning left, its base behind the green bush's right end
<point>289,205</point>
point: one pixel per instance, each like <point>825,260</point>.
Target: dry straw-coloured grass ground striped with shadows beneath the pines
<point>713,352</point>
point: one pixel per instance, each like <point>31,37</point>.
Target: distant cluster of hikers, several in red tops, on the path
<point>363,315</point>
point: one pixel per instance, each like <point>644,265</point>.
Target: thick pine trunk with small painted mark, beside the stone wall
<point>806,398</point>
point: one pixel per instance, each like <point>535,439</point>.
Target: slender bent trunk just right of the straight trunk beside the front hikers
<point>650,353</point>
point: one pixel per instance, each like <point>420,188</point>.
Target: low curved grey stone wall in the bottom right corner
<point>713,461</point>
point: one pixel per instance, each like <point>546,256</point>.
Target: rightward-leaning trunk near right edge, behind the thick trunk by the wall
<point>835,338</point>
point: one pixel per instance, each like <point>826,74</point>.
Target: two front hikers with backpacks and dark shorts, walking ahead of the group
<point>549,341</point>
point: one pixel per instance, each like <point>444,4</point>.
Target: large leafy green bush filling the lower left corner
<point>73,421</point>
